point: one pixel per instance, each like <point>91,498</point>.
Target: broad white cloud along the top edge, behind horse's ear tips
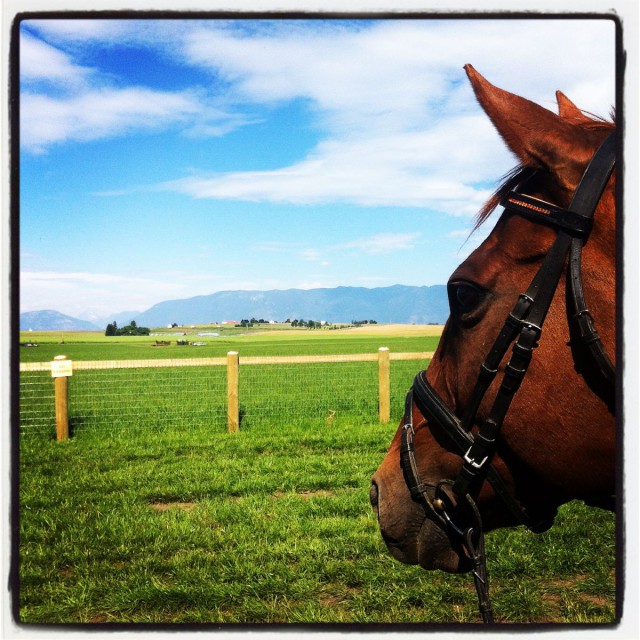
<point>399,73</point>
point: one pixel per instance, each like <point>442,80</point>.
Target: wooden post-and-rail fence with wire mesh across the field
<point>229,389</point>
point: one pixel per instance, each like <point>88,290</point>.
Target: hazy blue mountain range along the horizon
<point>396,304</point>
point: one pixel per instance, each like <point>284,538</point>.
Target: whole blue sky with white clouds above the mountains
<point>163,159</point>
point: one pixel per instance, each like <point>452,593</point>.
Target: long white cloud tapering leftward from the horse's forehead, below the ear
<point>418,169</point>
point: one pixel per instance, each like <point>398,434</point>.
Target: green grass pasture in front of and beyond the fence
<point>173,524</point>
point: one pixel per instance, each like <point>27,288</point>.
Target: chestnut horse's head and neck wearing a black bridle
<point>531,442</point>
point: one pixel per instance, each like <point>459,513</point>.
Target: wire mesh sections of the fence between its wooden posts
<point>142,395</point>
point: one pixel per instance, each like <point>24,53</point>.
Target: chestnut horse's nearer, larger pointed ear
<point>537,136</point>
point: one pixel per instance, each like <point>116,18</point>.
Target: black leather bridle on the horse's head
<point>451,504</point>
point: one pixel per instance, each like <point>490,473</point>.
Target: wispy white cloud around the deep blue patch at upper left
<point>62,101</point>
